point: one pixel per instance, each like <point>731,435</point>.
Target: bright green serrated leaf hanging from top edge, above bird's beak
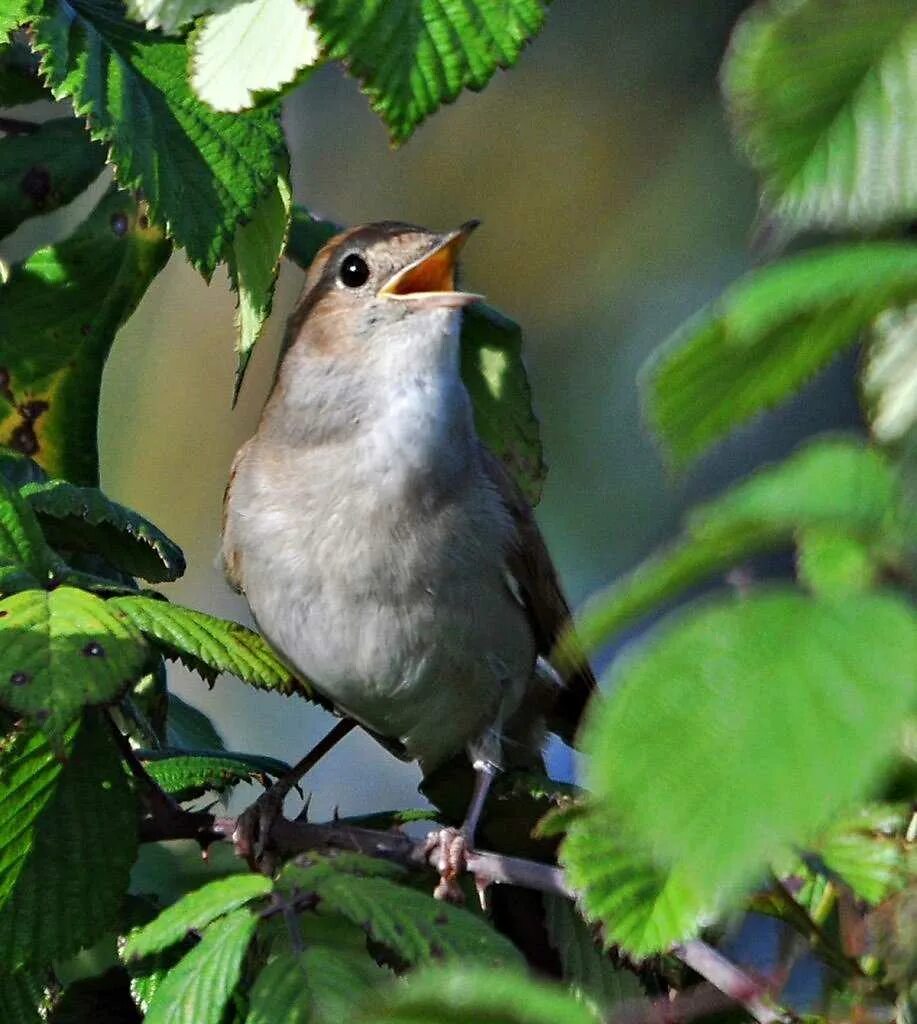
<point>413,56</point>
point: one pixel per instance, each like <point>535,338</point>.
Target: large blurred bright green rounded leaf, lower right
<point>756,718</point>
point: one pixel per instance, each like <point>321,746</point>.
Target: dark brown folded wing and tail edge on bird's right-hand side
<point>549,613</point>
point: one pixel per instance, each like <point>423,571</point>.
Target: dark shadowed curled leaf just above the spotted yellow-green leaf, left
<point>84,520</point>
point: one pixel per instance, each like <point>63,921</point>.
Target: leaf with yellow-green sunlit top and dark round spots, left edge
<point>63,651</point>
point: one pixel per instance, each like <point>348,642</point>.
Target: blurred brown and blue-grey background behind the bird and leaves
<point>615,206</point>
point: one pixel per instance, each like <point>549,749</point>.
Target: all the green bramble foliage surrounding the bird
<point>755,750</point>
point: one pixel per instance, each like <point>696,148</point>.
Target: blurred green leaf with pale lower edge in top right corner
<point>822,97</point>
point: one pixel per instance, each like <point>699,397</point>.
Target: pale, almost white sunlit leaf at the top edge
<point>250,51</point>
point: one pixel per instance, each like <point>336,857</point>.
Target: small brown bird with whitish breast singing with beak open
<point>385,553</point>
